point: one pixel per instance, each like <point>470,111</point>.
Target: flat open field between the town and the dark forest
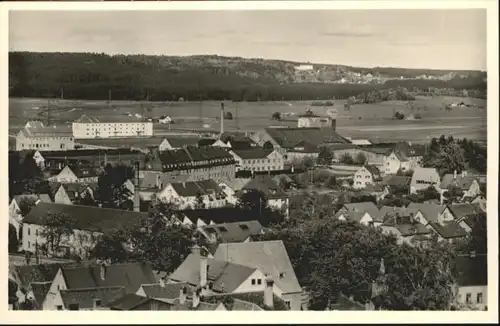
<point>372,121</point>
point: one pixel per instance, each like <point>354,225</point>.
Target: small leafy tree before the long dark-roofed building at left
<point>55,227</point>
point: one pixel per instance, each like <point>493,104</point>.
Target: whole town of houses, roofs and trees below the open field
<point>106,215</point>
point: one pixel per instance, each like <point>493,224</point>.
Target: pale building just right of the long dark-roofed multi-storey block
<point>258,159</point>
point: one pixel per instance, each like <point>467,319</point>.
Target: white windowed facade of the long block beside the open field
<point>112,130</point>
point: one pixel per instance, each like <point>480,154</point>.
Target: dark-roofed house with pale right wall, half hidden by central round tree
<point>277,199</point>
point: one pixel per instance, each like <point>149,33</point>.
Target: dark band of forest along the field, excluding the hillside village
<point>94,76</point>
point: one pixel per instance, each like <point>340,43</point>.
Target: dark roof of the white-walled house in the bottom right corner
<point>472,271</point>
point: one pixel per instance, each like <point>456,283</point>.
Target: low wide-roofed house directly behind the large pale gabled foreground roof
<point>231,232</point>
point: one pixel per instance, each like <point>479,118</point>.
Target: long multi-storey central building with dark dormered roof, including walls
<point>199,163</point>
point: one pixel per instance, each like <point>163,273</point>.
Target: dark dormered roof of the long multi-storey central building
<point>194,157</point>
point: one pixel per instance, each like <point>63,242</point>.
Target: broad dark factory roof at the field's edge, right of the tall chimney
<point>289,137</point>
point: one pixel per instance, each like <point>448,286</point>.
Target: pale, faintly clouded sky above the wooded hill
<point>434,39</point>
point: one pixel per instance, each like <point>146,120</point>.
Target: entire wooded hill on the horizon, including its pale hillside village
<point>162,78</point>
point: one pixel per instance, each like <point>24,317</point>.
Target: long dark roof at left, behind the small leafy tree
<point>87,217</point>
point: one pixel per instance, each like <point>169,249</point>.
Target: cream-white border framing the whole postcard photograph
<point>37,317</point>
